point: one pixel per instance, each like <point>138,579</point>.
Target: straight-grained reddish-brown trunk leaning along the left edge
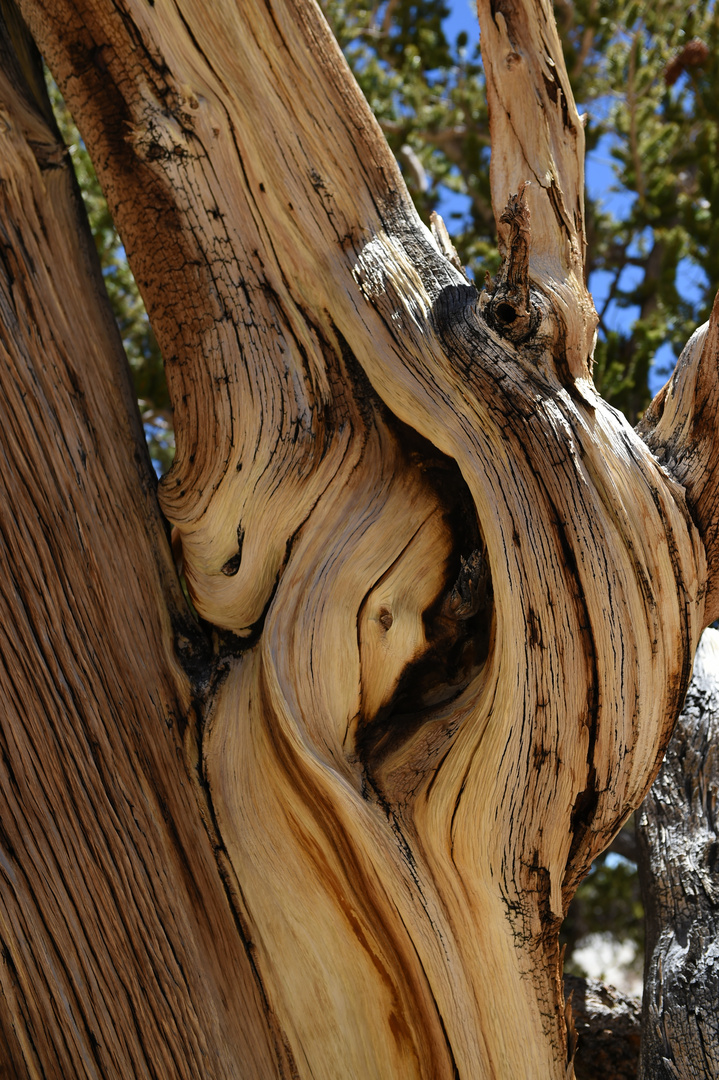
<point>120,953</point>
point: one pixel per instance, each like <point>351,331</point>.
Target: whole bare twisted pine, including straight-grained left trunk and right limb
<point>447,599</point>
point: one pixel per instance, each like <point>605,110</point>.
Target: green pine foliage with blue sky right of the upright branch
<point>647,75</point>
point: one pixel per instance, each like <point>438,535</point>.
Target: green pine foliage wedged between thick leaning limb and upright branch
<point>429,98</point>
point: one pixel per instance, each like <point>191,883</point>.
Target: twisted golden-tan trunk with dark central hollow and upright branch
<point>455,598</point>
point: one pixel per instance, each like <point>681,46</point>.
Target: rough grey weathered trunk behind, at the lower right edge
<point>680,846</point>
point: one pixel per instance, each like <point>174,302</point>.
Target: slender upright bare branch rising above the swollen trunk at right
<point>538,137</point>
